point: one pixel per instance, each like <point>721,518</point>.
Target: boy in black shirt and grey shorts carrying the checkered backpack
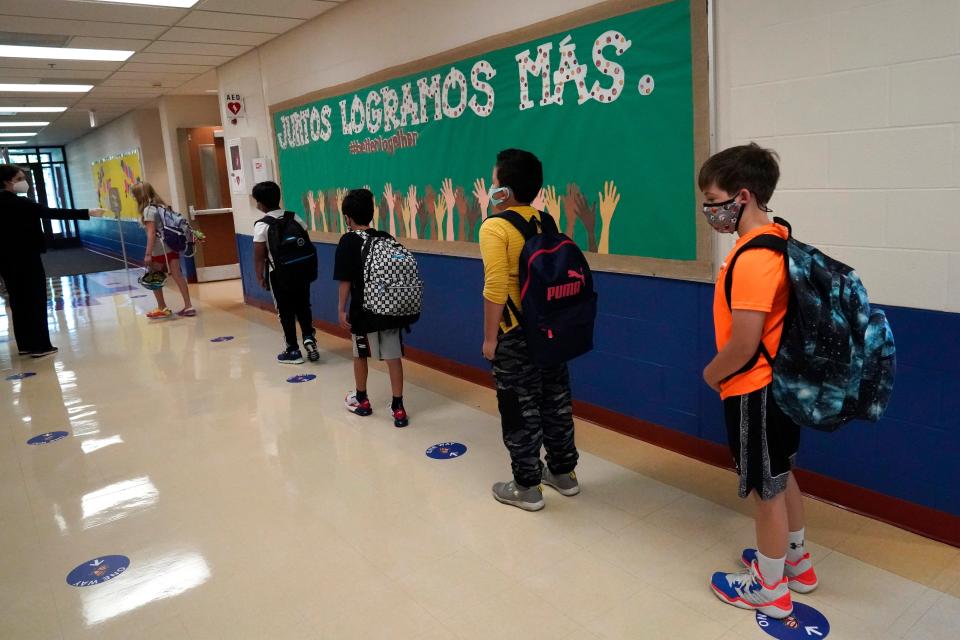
<point>386,345</point>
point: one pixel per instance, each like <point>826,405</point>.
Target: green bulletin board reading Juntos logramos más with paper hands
<point>608,105</point>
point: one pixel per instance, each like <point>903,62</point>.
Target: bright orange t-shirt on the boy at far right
<point>760,283</point>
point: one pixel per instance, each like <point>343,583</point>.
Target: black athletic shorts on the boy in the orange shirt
<point>763,441</point>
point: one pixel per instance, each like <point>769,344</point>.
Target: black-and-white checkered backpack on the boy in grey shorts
<point>392,288</point>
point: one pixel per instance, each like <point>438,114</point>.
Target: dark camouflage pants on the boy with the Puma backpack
<point>535,410</point>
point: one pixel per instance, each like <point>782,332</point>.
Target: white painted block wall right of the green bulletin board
<point>861,98</point>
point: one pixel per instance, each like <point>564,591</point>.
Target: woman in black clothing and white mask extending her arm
<point>21,267</point>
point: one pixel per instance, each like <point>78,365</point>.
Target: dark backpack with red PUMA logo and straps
<point>556,292</point>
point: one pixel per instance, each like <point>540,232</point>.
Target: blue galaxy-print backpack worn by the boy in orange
<point>837,358</point>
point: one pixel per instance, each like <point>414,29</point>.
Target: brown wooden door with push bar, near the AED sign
<point>203,159</point>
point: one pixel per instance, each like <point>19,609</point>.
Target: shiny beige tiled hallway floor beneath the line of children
<point>254,508</point>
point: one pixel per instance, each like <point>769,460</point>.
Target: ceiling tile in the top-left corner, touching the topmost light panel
<point>101,12</point>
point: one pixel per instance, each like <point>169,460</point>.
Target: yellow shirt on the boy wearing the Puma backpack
<point>500,246</point>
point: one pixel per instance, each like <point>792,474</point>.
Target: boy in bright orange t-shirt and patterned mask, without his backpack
<point>737,184</point>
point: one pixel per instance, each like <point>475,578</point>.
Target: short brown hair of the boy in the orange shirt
<point>748,166</point>
